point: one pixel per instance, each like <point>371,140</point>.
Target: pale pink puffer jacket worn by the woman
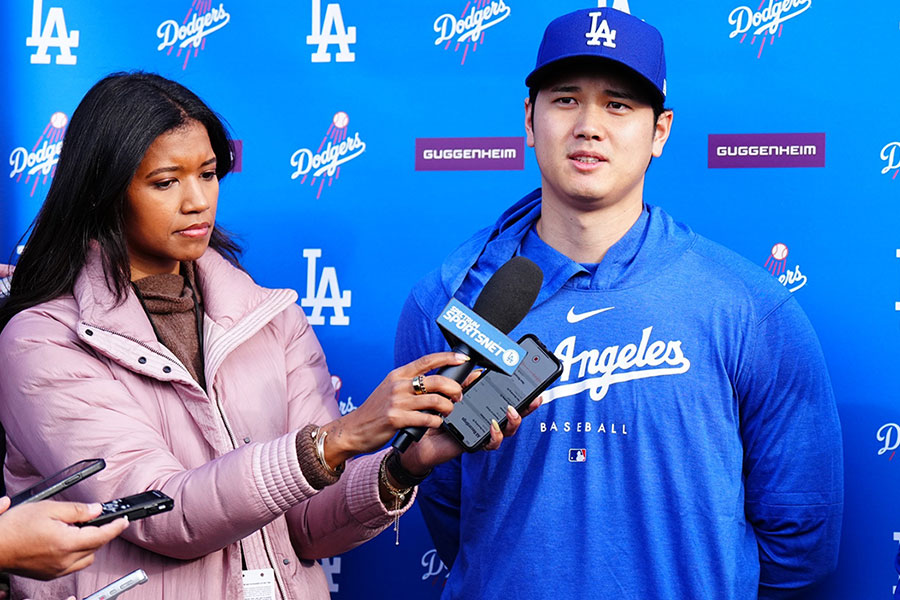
<point>82,377</point>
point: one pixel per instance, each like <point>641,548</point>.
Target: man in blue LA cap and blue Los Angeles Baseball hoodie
<point>691,447</point>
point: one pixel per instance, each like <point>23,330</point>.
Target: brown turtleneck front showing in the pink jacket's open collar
<point>169,299</point>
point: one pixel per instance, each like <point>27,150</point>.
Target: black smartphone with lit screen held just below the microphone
<point>488,396</point>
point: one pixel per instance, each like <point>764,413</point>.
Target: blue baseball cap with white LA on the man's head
<point>603,33</point>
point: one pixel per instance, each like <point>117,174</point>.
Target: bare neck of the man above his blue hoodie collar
<point>586,236</point>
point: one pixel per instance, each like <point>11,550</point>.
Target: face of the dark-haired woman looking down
<point>171,204</point>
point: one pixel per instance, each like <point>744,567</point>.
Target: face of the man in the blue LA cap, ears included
<point>593,139</point>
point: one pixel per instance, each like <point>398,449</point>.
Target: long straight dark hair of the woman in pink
<point>108,136</point>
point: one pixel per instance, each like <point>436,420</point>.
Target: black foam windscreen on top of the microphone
<point>509,294</point>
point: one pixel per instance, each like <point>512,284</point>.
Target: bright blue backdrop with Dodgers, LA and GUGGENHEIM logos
<point>353,226</point>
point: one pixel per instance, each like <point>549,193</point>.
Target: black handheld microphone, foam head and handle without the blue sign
<point>503,302</point>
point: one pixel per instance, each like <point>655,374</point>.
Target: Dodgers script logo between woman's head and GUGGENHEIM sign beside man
<point>335,149</point>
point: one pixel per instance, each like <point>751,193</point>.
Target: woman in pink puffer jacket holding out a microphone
<point>131,333</point>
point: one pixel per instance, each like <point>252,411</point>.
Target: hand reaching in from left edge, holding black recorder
<point>38,540</point>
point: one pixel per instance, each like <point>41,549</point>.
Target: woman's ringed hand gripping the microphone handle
<point>394,405</point>
